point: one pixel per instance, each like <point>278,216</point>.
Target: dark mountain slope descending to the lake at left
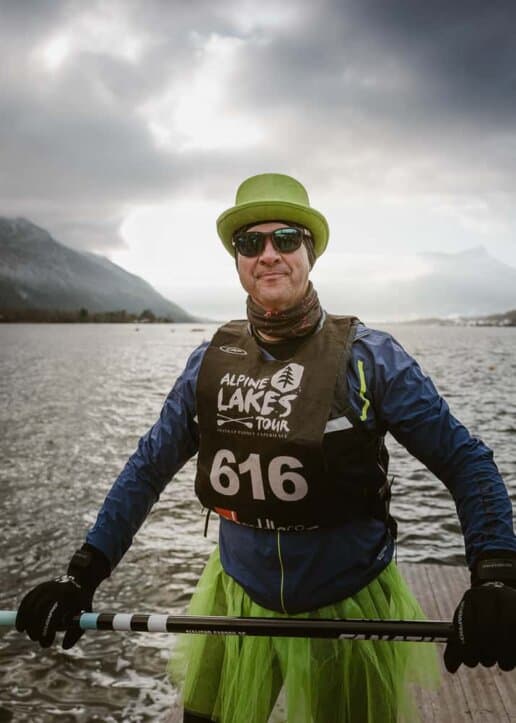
<point>37,272</point>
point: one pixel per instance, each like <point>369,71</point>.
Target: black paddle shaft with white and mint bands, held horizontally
<point>402,630</point>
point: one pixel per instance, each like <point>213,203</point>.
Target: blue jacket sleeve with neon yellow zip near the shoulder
<point>405,402</point>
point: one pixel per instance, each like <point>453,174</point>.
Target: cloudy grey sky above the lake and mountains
<point>125,128</point>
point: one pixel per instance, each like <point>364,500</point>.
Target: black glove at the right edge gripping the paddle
<point>485,619</point>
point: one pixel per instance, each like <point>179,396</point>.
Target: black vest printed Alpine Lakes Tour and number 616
<point>280,446</point>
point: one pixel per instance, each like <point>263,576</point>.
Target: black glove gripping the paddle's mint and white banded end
<point>51,605</point>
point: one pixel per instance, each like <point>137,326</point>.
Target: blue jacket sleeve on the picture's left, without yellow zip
<point>161,452</point>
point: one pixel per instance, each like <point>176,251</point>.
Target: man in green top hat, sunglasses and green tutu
<point>288,412</point>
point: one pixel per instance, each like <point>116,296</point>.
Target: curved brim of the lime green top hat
<point>261,211</point>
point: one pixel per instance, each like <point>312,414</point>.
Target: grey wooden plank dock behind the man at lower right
<point>472,695</point>
